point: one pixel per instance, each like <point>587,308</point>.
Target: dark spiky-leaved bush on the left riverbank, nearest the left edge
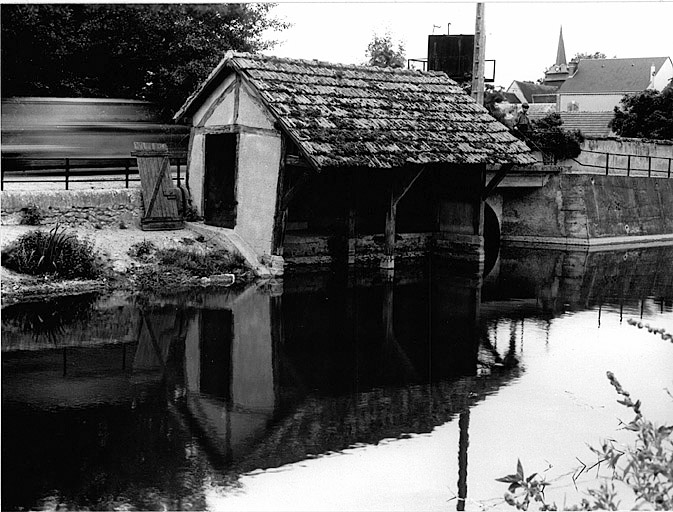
<point>56,253</point>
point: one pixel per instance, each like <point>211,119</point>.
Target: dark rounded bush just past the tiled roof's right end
<point>555,142</point>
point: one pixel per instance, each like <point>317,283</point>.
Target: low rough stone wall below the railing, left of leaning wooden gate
<point>87,208</point>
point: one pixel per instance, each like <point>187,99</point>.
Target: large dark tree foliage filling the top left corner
<point>153,52</point>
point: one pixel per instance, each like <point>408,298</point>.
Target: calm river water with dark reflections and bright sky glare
<point>335,391</point>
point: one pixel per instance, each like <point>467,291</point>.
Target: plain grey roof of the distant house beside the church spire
<point>612,75</point>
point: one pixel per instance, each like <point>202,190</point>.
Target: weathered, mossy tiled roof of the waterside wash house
<point>358,116</point>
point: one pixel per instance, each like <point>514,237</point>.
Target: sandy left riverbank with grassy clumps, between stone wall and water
<point>45,263</point>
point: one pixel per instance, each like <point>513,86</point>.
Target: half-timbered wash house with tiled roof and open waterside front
<point>321,162</point>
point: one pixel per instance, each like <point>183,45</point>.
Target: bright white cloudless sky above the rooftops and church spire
<point>521,36</point>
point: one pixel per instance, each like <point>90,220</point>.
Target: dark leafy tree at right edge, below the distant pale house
<point>647,114</point>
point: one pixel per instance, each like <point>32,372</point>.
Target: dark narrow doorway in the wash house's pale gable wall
<point>220,180</point>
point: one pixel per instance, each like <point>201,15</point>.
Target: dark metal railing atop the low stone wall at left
<point>69,171</point>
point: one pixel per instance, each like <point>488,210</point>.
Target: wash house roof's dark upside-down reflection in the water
<point>325,425</point>
